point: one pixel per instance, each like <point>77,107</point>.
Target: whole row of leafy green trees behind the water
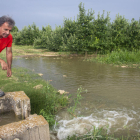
<point>84,34</point>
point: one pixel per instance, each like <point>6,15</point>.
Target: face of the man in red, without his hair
<point>5,30</point>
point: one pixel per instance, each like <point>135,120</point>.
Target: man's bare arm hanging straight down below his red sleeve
<point>9,60</point>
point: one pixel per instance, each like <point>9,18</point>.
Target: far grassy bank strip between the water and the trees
<point>119,58</point>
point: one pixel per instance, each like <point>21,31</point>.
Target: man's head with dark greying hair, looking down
<point>6,25</point>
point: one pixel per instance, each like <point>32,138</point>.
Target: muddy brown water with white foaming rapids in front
<point>112,98</point>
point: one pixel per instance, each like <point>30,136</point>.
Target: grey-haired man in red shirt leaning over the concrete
<point>6,25</point>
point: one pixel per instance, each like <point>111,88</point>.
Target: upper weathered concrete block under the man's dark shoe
<point>16,101</point>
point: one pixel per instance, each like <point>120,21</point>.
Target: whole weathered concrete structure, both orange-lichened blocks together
<point>34,127</point>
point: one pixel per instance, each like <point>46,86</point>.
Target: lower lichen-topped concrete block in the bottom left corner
<point>33,128</point>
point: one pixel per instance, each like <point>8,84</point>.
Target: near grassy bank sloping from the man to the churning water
<point>45,100</point>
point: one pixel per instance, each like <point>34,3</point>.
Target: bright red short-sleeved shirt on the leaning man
<point>6,42</point>
